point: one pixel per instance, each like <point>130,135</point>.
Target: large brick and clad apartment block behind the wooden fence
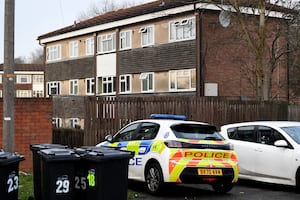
<point>170,47</point>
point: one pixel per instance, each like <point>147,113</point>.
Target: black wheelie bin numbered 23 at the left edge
<point>9,175</point>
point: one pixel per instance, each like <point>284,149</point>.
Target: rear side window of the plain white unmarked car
<point>244,133</point>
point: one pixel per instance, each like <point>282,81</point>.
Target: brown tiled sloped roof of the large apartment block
<point>139,10</point>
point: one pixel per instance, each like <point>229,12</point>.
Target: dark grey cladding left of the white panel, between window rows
<point>70,69</point>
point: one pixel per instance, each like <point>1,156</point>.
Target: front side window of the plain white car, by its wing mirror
<point>268,135</point>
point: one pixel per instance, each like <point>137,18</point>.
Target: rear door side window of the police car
<point>147,131</point>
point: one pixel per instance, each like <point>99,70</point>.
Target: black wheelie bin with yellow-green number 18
<point>105,171</point>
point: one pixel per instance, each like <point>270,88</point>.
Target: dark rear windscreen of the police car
<point>196,132</point>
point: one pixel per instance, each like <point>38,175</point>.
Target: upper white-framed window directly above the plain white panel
<point>106,43</point>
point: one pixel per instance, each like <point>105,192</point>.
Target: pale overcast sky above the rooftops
<point>37,17</point>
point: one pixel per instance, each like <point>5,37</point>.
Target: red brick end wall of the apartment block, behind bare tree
<point>227,58</point>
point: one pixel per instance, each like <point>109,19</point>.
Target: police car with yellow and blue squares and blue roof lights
<point>169,149</point>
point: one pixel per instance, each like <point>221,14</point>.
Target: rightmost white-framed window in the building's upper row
<point>183,29</point>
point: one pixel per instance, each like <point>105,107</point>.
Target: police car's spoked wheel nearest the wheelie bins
<point>154,178</point>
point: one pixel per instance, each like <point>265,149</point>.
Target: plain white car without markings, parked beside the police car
<point>268,151</point>
